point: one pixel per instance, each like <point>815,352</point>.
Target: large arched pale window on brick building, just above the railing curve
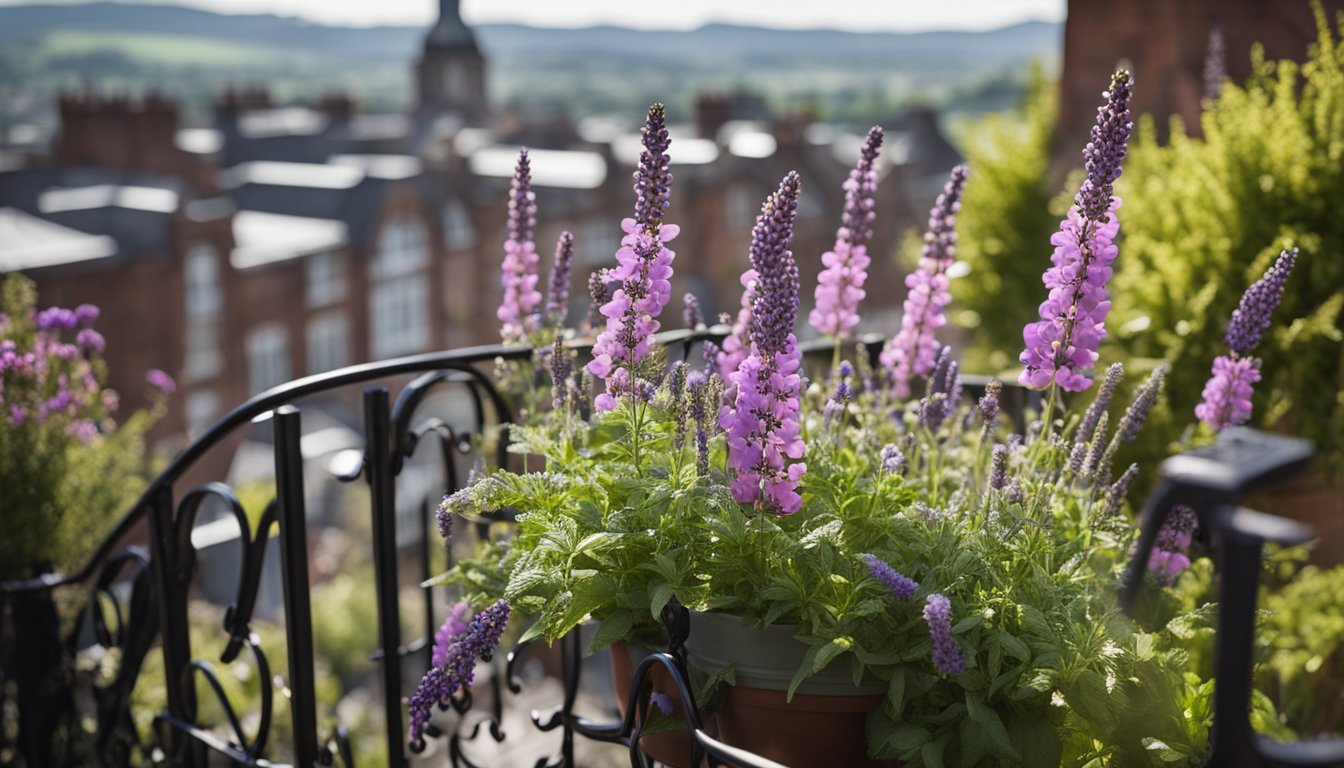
<point>398,301</point>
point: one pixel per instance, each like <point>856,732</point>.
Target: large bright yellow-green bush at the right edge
<point>1205,217</point>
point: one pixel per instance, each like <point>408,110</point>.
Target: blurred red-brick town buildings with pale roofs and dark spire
<point>283,241</point>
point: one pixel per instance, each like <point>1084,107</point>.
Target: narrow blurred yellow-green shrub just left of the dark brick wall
<point>1005,228</point>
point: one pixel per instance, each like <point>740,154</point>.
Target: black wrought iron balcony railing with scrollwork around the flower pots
<point>136,597</point>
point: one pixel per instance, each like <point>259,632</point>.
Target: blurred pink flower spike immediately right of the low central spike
<point>841,284</point>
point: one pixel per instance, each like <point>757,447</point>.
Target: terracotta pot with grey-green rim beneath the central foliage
<point>822,727</point>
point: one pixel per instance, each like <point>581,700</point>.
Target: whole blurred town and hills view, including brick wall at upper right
<point>253,198</point>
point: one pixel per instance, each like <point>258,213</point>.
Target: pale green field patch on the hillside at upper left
<point>167,50</point>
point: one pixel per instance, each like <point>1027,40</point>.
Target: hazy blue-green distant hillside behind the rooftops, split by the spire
<point>193,53</point>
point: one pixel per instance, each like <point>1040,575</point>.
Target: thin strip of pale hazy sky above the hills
<point>888,15</point>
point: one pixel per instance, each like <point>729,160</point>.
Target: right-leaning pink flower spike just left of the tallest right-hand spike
<point>913,352</point>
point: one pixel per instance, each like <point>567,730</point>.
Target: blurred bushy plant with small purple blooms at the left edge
<point>67,467</point>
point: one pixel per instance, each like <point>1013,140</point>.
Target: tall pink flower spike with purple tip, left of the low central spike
<point>644,272</point>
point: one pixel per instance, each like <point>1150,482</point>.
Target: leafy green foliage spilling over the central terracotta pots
<point>622,523</point>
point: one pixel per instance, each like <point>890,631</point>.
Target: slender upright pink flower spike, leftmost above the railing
<point>518,274</point>
